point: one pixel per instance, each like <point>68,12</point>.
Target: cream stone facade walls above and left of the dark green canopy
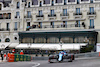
<point>23,18</point>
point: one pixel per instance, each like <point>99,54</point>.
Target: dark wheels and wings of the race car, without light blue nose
<point>54,58</point>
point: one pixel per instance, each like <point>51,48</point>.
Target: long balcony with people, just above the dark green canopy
<point>56,27</point>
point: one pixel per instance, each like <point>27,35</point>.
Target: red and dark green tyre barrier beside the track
<point>18,57</point>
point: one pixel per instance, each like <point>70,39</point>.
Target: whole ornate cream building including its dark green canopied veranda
<point>39,22</point>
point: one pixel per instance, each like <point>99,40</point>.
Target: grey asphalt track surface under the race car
<point>95,62</point>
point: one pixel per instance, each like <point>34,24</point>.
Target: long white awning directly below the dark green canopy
<point>73,46</point>
